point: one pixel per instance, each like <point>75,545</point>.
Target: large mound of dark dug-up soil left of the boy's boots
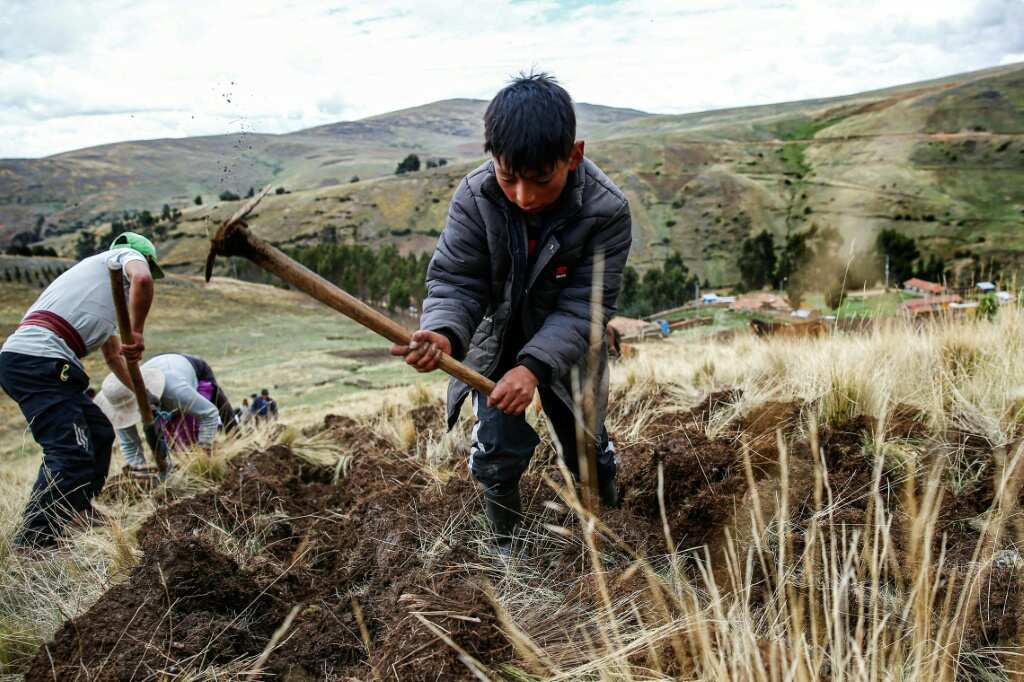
<point>349,555</point>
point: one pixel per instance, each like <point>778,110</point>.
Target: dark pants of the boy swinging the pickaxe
<point>502,445</point>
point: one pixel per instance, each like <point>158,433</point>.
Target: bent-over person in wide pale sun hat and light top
<point>190,404</point>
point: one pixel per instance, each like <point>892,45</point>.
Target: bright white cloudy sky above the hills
<point>75,74</point>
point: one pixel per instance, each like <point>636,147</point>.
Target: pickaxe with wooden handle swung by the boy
<point>235,239</point>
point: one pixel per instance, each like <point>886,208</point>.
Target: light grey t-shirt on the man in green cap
<point>82,297</point>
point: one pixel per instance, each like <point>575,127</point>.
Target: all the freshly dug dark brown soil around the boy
<point>382,572</point>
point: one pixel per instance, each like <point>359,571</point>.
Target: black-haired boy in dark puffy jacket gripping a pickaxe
<point>509,289</point>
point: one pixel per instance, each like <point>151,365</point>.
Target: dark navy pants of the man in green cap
<point>75,436</point>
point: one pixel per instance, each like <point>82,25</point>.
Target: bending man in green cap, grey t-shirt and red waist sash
<point>41,370</point>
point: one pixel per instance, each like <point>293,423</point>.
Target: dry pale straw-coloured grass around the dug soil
<point>845,606</point>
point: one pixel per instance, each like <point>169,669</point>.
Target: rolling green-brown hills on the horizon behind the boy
<point>942,160</point>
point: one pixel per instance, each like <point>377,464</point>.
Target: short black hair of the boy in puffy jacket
<point>531,124</point>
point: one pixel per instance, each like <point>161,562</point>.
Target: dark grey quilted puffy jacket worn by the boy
<point>479,274</point>
